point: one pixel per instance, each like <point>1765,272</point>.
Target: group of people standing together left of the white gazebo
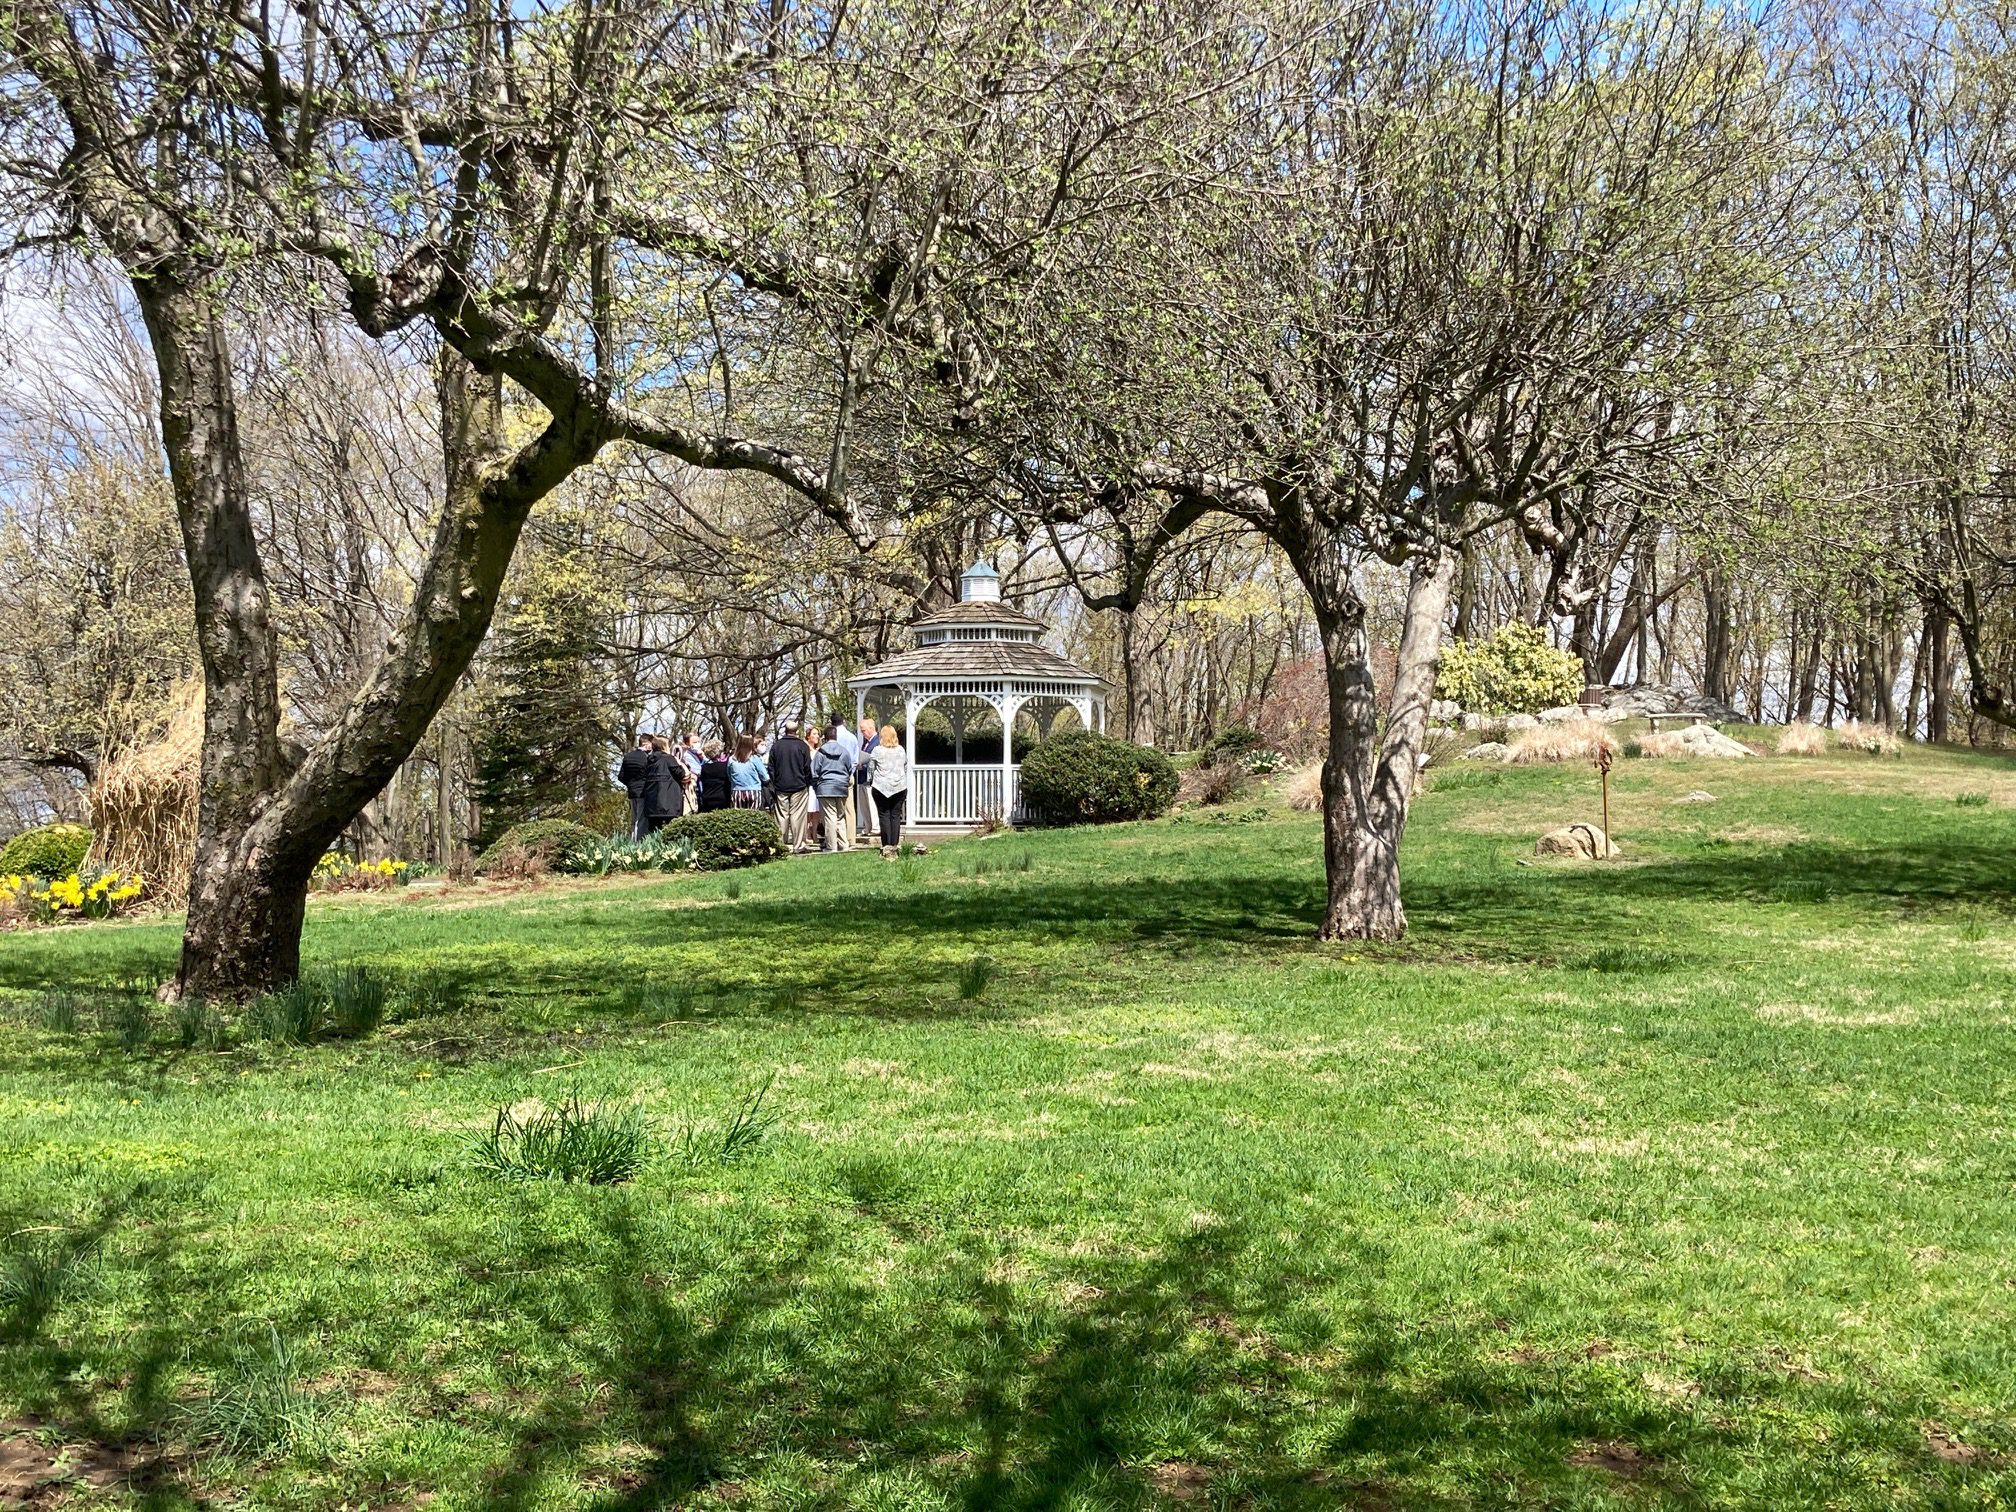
<point>826,797</point>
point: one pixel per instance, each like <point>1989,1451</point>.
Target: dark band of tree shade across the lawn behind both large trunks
<point>761,953</point>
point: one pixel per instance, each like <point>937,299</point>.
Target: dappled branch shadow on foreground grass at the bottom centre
<point>1146,1382</point>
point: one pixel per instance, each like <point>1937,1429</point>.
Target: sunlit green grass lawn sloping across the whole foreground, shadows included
<point>1678,1180</point>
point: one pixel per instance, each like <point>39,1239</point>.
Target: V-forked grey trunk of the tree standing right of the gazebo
<point>1368,783</point>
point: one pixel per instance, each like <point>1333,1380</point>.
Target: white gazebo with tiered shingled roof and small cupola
<point>977,660</point>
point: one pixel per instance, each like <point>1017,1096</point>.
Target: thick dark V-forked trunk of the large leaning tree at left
<point>263,830</point>
